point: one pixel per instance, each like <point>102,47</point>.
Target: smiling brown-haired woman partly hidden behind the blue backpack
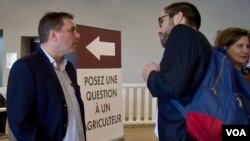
<point>234,42</point>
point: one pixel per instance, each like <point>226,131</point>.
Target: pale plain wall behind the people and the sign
<point>136,19</point>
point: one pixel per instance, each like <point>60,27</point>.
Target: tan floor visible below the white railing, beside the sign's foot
<point>131,133</point>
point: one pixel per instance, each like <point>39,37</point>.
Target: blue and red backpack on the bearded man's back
<point>222,98</point>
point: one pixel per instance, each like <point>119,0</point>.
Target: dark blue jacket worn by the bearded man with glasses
<point>184,63</point>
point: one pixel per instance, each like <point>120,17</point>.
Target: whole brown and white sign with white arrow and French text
<point>99,76</point>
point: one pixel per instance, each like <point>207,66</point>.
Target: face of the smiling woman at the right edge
<point>239,51</point>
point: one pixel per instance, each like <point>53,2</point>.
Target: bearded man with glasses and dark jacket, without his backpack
<point>183,65</point>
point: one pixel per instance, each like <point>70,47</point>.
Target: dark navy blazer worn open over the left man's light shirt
<point>36,105</point>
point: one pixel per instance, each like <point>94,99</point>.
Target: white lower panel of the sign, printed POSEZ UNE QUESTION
<point>101,93</point>
